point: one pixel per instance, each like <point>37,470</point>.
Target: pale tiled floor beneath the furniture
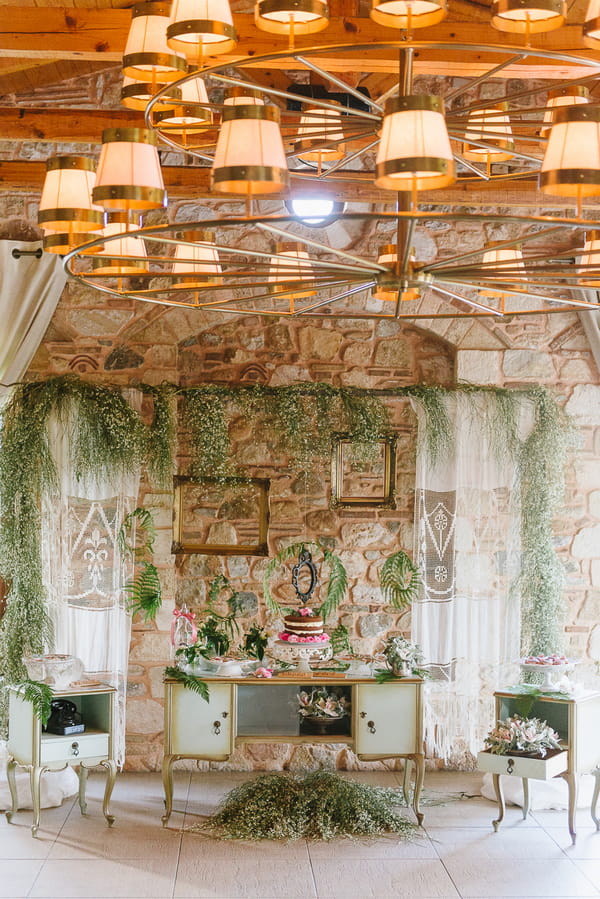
<point>457,855</point>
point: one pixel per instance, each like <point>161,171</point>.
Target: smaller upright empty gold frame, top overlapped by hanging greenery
<point>359,482</point>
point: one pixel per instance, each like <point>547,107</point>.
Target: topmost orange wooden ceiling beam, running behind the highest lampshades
<point>99,35</point>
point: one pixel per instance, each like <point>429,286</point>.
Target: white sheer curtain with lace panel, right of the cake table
<point>467,618</point>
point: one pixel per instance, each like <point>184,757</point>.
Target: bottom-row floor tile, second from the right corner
<point>382,879</point>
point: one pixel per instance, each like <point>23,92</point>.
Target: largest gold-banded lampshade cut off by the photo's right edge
<point>571,164</point>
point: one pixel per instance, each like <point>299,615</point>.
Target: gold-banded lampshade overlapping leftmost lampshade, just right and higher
<point>129,175</point>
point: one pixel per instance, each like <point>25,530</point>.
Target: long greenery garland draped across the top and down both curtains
<point>108,437</point>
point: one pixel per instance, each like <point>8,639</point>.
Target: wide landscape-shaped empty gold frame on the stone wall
<point>221,516</point>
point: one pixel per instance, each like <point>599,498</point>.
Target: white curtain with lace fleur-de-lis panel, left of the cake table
<point>85,572</point>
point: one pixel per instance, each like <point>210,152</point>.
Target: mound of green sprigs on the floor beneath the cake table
<point>316,806</point>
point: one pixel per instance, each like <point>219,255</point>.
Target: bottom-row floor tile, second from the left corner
<point>87,878</point>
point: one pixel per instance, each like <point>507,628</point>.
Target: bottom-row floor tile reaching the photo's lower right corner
<point>492,878</point>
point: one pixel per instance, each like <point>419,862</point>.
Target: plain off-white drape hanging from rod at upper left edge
<point>30,287</point>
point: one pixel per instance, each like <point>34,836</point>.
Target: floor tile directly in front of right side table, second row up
<point>473,842</point>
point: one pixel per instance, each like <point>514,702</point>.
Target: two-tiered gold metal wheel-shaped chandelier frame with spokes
<point>339,283</point>
